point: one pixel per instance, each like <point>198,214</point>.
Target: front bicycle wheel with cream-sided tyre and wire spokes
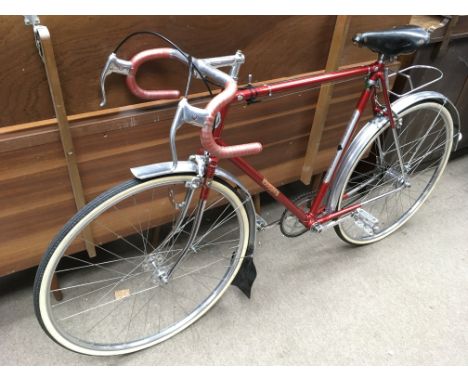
<point>121,300</point>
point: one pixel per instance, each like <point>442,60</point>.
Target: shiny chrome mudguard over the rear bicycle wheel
<point>375,125</point>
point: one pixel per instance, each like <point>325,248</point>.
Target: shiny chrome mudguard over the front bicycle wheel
<point>190,167</point>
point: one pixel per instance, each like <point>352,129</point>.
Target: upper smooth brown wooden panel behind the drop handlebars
<point>82,44</point>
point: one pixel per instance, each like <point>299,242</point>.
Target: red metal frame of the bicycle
<point>375,72</point>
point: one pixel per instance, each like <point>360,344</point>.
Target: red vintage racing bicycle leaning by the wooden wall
<point>171,240</point>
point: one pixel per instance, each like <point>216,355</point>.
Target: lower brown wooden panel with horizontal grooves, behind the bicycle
<point>106,149</point>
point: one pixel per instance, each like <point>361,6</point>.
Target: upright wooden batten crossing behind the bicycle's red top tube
<point>340,35</point>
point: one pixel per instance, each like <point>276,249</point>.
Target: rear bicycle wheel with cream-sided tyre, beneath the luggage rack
<point>389,190</point>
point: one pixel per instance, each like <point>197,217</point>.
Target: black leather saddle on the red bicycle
<point>392,42</point>
